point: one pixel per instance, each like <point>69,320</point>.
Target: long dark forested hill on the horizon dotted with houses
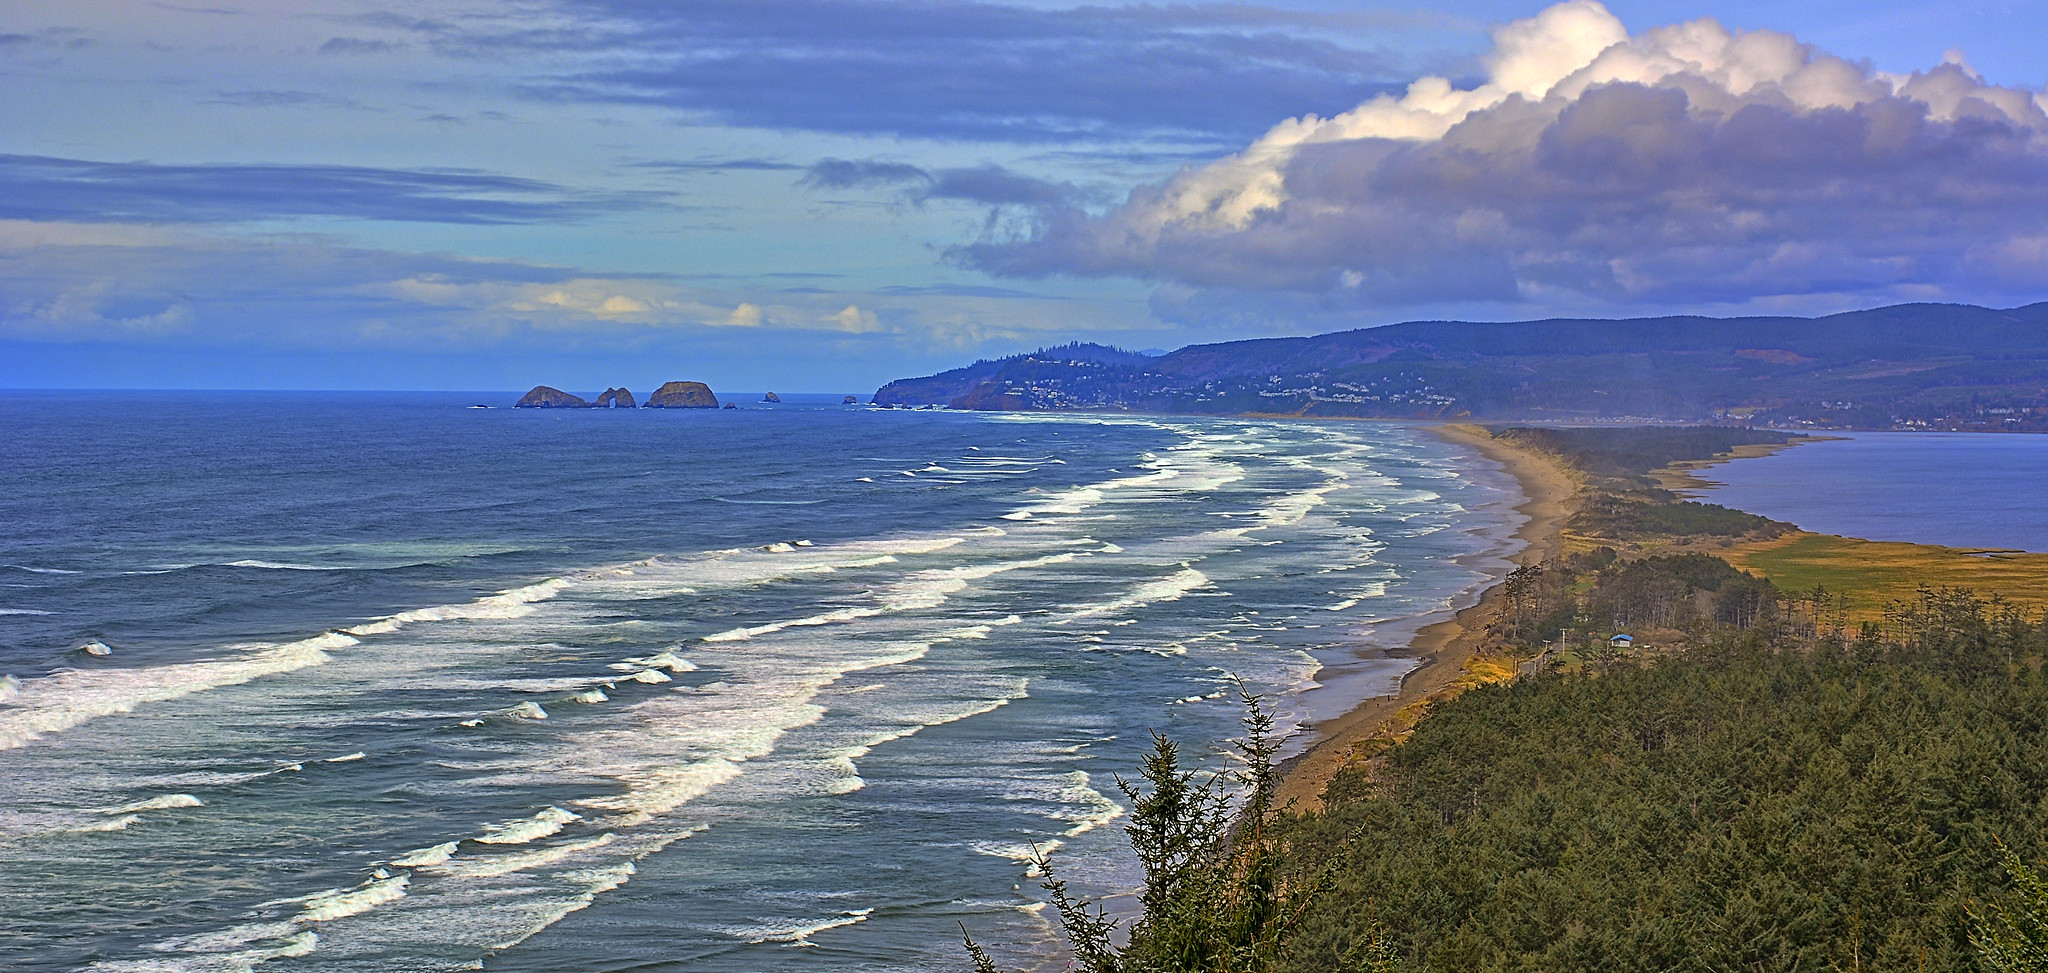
<point>1918,366</point>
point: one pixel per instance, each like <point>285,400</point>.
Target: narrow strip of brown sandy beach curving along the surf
<point>1447,648</point>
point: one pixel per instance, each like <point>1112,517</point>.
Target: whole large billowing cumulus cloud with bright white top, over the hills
<point>1672,167</point>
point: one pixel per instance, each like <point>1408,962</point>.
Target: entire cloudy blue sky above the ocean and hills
<point>824,196</point>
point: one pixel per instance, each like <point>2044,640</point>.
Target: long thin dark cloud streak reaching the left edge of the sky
<point>40,187</point>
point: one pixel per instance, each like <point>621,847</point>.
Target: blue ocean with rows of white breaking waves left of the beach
<point>378,681</point>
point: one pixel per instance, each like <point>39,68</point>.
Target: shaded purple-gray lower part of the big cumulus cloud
<point>1623,194</point>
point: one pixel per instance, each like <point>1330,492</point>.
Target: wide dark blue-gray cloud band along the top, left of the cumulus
<point>951,71</point>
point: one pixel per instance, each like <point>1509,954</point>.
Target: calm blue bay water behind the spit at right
<point>1934,489</point>
